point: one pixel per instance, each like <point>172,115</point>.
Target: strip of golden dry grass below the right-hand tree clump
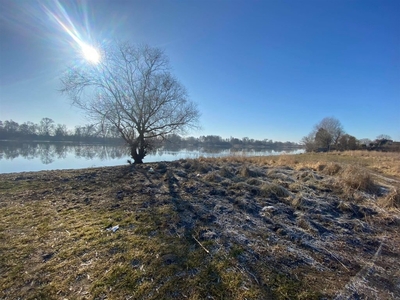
<point>353,170</point>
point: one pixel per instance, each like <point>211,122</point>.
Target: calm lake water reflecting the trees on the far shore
<point>24,157</point>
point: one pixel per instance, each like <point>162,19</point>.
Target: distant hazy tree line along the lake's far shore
<point>48,130</point>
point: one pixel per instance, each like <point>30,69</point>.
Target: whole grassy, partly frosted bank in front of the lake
<point>309,226</point>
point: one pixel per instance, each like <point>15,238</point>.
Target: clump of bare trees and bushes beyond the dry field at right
<point>329,135</point>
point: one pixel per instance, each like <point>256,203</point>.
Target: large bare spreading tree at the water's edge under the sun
<point>133,90</point>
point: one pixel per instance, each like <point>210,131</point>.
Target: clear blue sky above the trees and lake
<point>261,69</point>
